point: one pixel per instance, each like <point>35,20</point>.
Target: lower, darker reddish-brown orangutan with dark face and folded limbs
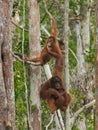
<point>55,94</point>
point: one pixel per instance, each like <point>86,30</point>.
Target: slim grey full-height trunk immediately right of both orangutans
<point>66,33</point>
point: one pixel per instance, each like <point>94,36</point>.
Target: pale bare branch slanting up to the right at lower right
<point>80,110</point>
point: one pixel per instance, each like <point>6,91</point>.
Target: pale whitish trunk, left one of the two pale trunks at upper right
<point>81,65</point>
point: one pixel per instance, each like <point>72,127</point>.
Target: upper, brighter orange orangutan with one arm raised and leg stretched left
<point>44,56</point>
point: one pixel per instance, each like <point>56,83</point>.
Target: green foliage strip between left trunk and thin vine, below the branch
<point>20,97</point>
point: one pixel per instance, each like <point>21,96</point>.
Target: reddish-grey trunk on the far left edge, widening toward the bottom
<point>3,97</point>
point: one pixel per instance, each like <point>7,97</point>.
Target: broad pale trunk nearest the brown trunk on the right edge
<point>85,33</point>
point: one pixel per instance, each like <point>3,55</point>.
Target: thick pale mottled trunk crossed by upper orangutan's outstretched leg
<point>35,72</point>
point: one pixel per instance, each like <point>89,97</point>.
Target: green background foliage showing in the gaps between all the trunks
<point>57,12</point>
